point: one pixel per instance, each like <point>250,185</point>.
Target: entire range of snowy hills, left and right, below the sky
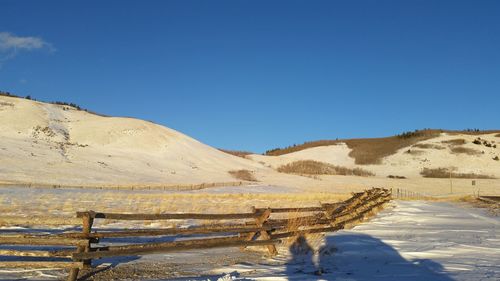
<point>49,144</point>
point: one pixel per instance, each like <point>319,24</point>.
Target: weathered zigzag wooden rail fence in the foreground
<point>265,227</point>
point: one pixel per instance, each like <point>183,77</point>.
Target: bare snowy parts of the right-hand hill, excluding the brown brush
<point>408,161</point>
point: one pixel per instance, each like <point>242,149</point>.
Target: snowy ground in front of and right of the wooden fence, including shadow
<point>410,240</point>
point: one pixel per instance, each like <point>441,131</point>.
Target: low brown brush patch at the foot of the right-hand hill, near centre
<point>310,167</point>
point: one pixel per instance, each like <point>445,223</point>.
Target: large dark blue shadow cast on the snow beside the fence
<point>357,257</point>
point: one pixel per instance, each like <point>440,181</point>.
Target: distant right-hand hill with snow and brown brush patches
<point>465,154</point>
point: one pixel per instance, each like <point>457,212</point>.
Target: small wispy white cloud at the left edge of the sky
<point>11,45</point>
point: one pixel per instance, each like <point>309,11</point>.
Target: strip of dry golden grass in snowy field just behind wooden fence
<point>49,203</point>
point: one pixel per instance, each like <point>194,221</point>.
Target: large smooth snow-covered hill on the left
<point>58,144</point>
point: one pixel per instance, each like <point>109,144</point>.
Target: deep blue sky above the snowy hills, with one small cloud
<point>255,75</point>
